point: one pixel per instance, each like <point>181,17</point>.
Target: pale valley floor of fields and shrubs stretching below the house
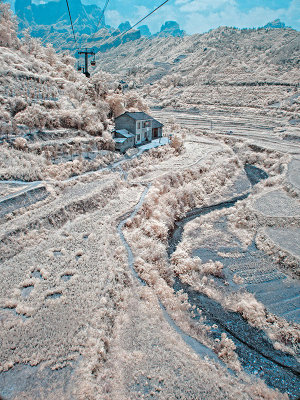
<point>89,307</point>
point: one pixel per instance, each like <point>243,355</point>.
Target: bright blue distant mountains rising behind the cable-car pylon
<point>50,22</point>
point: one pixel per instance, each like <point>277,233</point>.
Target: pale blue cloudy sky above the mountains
<point>198,16</point>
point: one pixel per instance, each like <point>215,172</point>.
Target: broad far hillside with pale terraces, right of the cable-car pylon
<point>224,67</point>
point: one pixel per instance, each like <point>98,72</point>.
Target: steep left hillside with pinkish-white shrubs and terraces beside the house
<point>41,91</point>
